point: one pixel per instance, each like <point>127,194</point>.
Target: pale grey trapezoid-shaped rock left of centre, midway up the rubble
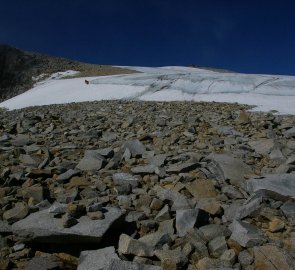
<point>92,161</point>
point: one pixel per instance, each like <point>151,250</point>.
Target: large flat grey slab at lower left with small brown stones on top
<point>42,226</point>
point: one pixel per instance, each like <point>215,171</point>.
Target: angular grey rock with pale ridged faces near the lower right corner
<point>246,234</point>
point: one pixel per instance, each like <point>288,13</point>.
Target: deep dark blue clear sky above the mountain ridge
<point>242,35</point>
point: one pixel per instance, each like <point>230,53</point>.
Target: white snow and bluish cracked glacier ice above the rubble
<point>267,92</point>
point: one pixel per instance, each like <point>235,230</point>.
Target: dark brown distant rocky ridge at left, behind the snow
<point>17,69</point>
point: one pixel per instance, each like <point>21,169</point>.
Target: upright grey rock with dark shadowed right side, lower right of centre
<point>186,220</point>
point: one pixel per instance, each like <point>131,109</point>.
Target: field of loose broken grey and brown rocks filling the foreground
<point>144,185</point>
